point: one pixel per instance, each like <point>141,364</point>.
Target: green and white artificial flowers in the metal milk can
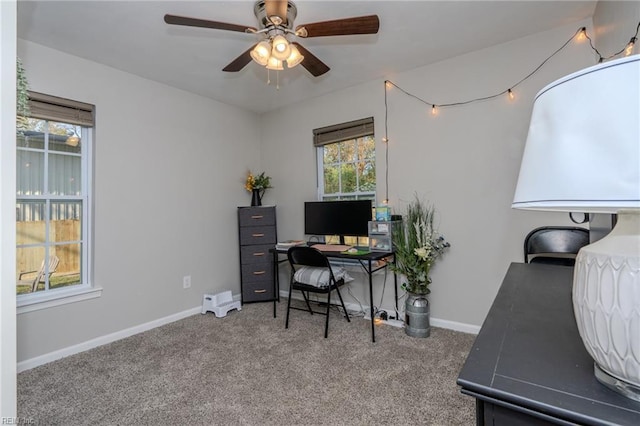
<point>417,246</point>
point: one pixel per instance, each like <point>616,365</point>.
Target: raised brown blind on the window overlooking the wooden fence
<point>53,108</point>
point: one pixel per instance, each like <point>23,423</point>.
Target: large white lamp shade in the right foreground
<point>583,148</point>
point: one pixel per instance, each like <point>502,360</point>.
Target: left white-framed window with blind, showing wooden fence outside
<point>52,196</point>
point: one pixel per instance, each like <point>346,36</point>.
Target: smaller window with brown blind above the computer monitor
<point>347,165</point>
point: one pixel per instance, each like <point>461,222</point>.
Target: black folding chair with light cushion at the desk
<point>312,273</point>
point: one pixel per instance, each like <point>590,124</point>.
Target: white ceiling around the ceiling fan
<point>132,36</point>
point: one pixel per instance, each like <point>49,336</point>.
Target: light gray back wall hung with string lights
<point>465,160</point>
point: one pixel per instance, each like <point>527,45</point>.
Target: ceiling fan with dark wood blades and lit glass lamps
<point>275,24</point>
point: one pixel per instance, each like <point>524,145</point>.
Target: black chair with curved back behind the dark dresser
<point>557,245</point>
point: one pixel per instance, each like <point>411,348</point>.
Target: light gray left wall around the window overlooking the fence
<point>177,161</point>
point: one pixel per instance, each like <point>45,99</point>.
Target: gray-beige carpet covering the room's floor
<point>246,369</point>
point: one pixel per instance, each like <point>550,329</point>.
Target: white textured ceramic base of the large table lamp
<point>606,303</point>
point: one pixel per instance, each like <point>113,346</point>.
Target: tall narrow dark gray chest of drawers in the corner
<point>257,234</point>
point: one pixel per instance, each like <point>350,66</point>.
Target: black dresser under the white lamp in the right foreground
<point>528,365</point>
